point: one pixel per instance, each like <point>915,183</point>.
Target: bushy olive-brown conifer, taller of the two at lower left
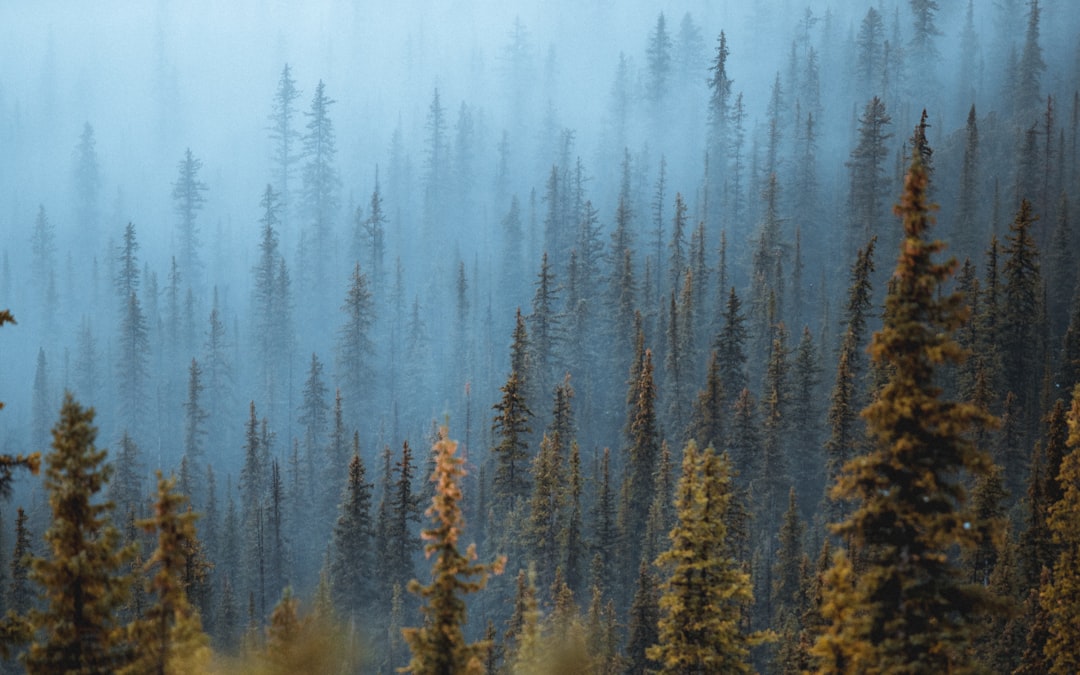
<point>82,580</point>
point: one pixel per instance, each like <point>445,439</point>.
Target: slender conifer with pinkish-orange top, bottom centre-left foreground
<point>440,646</point>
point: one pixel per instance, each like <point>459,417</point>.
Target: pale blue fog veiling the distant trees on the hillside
<point>525,92</point>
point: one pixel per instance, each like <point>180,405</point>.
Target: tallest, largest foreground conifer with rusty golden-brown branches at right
<point>907,607</point>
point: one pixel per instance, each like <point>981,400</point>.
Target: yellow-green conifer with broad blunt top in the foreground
<point>706,591</point>
